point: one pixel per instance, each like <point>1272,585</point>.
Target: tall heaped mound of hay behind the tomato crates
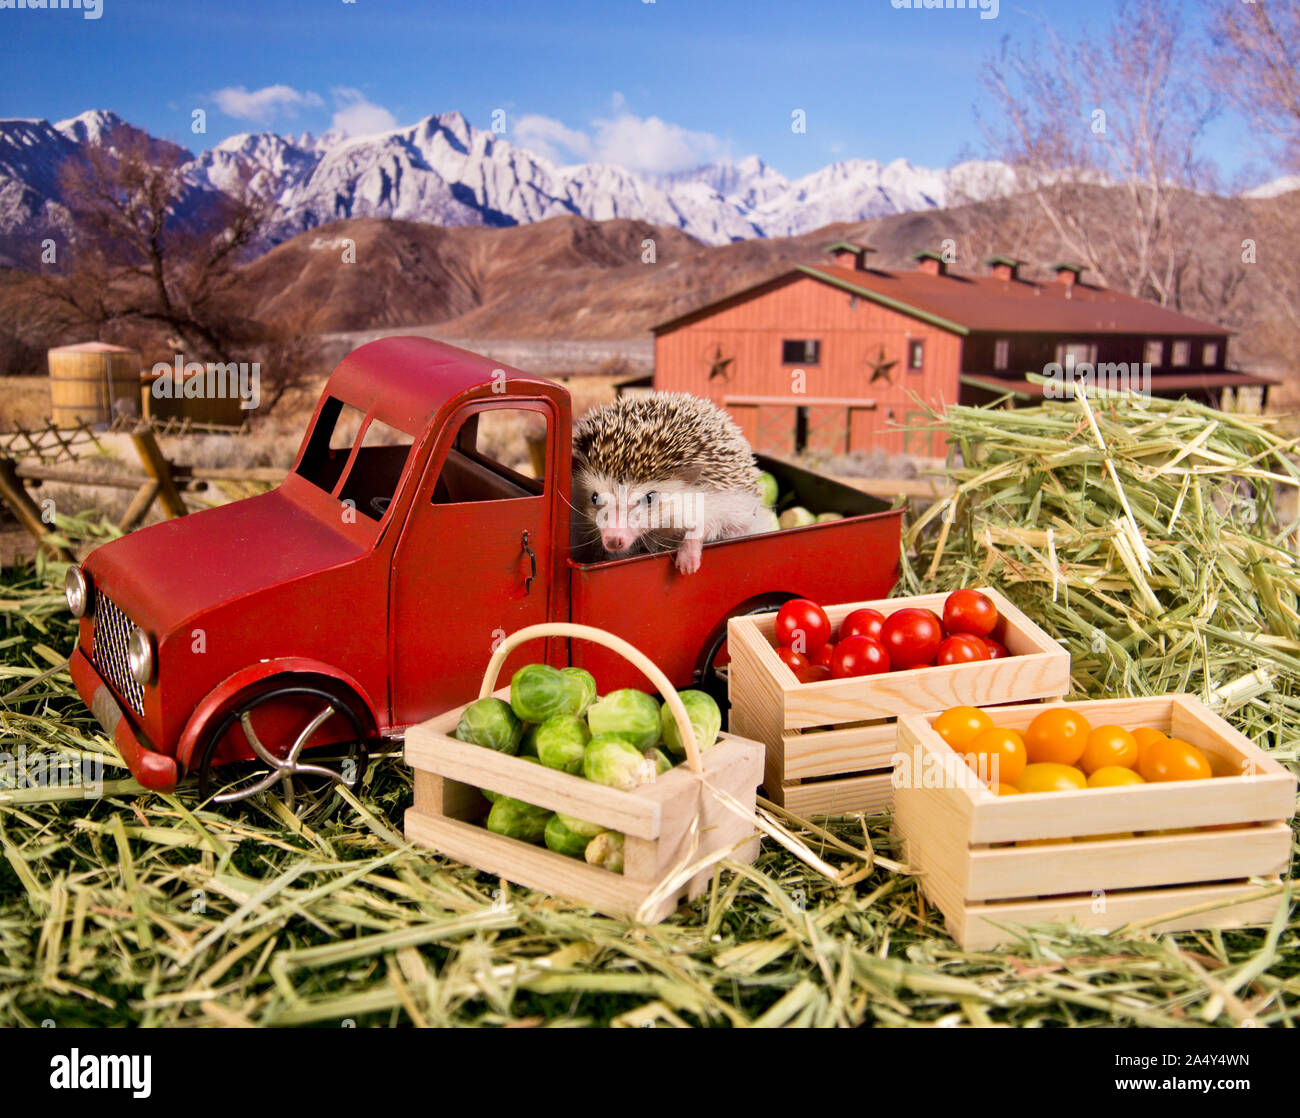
<point>1149,538</point>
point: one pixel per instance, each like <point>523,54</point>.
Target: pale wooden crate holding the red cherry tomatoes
<point>830,746</point>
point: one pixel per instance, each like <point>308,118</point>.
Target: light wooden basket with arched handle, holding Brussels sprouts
<point>677,829</point>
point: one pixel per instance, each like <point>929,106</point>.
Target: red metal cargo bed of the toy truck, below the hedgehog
<point>677,619</point>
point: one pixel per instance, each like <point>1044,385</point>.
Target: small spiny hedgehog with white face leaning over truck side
<point>664,473</point>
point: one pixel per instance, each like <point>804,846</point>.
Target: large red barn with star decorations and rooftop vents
<point>844,357</point>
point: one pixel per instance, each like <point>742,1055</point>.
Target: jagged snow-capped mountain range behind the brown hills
<point>444,171</point>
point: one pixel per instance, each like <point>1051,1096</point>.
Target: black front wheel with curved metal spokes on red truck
<point>305,786</point>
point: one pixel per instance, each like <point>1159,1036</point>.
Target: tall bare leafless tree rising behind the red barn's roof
<point>1121,111</point>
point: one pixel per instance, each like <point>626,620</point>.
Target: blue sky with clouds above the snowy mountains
<point>651,85</point>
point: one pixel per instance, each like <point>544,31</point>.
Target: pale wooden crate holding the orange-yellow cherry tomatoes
<point>955,833</point>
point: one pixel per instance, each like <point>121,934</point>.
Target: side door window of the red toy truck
<point>500,454</point>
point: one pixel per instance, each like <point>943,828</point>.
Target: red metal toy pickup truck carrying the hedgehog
<point>367,592</point>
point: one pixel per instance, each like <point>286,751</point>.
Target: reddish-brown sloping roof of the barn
<point>967,305</point>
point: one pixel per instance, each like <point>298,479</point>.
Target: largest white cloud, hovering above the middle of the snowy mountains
<point>636,144</point>
